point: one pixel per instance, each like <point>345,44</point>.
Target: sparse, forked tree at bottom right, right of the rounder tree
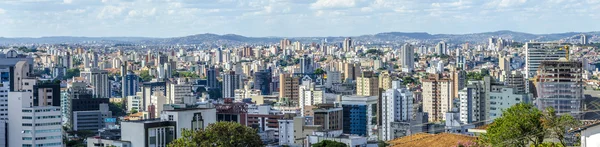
<point>557,126</point>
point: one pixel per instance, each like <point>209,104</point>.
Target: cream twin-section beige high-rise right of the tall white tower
<point>437,96</point>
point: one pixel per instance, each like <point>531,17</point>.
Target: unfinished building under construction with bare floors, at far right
<point>559,84</point>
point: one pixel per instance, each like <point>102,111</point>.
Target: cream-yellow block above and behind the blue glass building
<point>367,85</point>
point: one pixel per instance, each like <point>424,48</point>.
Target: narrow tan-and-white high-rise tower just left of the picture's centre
<point>288,87</point>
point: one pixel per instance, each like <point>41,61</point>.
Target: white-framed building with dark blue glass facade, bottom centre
<point>355,108</point>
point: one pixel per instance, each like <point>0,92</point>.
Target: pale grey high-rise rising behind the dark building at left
<point>98,79</point>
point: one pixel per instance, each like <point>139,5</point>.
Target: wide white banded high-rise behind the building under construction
<point>536,53</point>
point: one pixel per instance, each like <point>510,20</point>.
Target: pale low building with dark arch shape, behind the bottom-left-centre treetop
<point>190,118</point>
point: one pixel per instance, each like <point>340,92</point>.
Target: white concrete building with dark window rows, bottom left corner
<point>31,125</point>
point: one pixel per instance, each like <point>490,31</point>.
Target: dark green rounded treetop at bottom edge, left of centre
<point>225,134</point>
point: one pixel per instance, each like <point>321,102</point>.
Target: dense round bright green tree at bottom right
<point>519,126</point>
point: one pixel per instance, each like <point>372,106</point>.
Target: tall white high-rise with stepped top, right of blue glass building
<point>397,106</point>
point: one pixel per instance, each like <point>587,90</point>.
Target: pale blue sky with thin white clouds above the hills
<point>291,18</point>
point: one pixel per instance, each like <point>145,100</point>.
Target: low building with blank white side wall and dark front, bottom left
<point>150,133</point>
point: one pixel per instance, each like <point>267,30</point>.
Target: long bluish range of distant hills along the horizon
<point>233,39</point>
